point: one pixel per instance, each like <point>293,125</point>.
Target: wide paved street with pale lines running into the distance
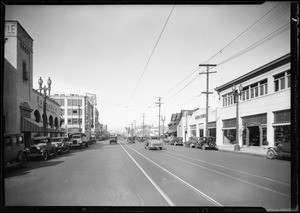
<point>128,175</point>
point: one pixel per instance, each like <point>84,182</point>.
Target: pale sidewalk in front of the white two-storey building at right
<point>257,151</point>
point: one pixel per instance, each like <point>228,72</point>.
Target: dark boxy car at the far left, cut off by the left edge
<point>14,150</point>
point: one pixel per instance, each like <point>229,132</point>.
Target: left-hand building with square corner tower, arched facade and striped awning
<point>22,105</point>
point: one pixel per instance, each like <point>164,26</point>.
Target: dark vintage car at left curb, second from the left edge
<point>42,147</point>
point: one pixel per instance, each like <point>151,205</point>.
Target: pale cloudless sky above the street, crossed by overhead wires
<point>129,55</point>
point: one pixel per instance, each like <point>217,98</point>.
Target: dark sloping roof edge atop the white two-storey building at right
<point>263,69</point>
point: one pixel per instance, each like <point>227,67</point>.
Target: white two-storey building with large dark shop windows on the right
<point>264,106</point>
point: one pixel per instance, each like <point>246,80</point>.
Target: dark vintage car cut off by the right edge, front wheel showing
<point>281,150</point>
